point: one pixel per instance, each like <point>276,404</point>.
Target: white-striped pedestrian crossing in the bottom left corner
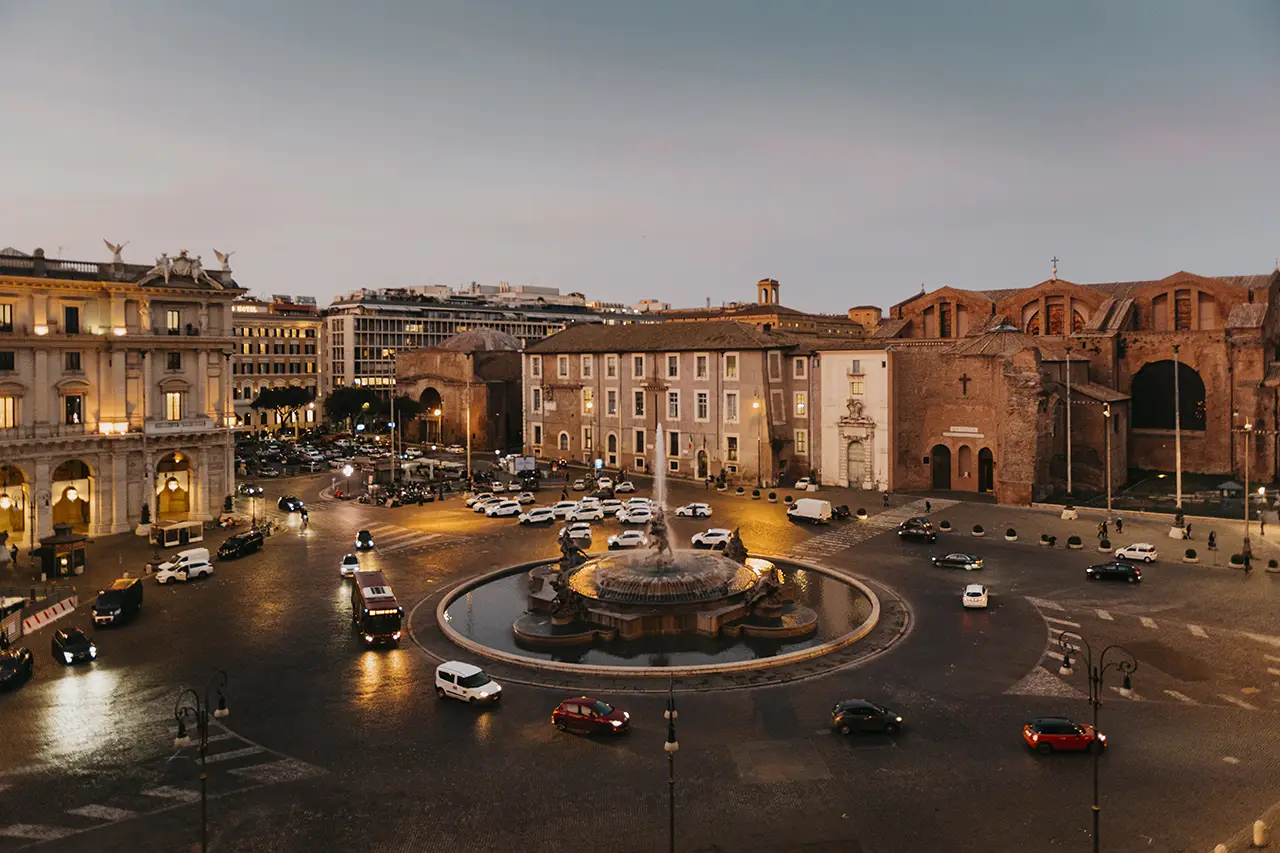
<point>237,763</point>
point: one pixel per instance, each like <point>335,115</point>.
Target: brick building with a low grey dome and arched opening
<point>476,377</point>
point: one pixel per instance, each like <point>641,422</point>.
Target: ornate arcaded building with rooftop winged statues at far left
<point>115,393</point>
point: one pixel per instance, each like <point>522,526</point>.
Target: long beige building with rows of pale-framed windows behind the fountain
<point>729,396</point>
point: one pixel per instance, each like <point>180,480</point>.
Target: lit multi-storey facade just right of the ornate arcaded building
<point>280,345</point>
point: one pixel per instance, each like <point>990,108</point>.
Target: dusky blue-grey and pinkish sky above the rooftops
<point>670,150</point>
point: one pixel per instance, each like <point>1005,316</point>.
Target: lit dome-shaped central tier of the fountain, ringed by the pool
<point>642,578</point>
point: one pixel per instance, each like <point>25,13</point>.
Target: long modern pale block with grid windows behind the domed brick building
<point>367,330</point>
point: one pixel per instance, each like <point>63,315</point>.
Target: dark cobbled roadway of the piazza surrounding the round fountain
<point>331,747</point>
